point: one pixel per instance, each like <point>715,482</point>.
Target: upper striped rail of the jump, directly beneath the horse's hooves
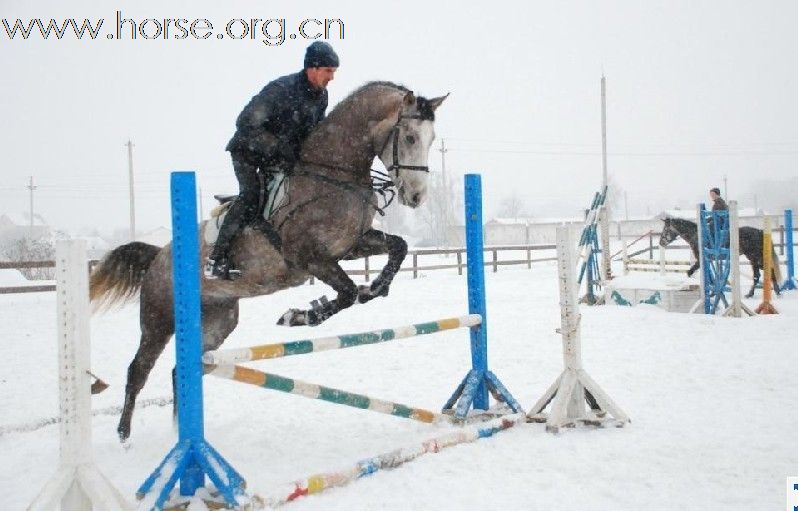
<point>235,356</point>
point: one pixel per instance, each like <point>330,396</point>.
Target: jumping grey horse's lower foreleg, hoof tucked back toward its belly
<point>334,276</point>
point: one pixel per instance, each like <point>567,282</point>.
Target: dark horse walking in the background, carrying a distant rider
<point>750,246</point>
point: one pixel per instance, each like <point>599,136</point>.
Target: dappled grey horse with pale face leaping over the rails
<point>328,218</point>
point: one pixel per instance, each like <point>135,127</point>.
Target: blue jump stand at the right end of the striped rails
<point>473,390</point>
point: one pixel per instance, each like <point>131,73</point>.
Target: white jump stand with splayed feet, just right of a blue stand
<point>567,393</point>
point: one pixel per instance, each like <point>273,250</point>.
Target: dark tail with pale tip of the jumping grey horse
<point>118,276</point>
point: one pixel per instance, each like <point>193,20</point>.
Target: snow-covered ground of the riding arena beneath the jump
<point>710,401</point>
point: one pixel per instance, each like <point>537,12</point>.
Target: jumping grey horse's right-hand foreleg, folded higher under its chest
<point>375,242</point>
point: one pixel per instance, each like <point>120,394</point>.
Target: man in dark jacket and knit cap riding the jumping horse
<point>269,134</point>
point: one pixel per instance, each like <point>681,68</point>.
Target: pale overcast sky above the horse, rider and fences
<point>696,90</point>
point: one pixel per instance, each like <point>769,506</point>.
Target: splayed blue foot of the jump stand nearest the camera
<point>191,461</point>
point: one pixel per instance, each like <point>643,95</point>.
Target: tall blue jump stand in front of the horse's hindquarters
<point>193,456</point>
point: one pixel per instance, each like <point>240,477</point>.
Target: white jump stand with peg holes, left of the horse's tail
<point>78,485</point>
